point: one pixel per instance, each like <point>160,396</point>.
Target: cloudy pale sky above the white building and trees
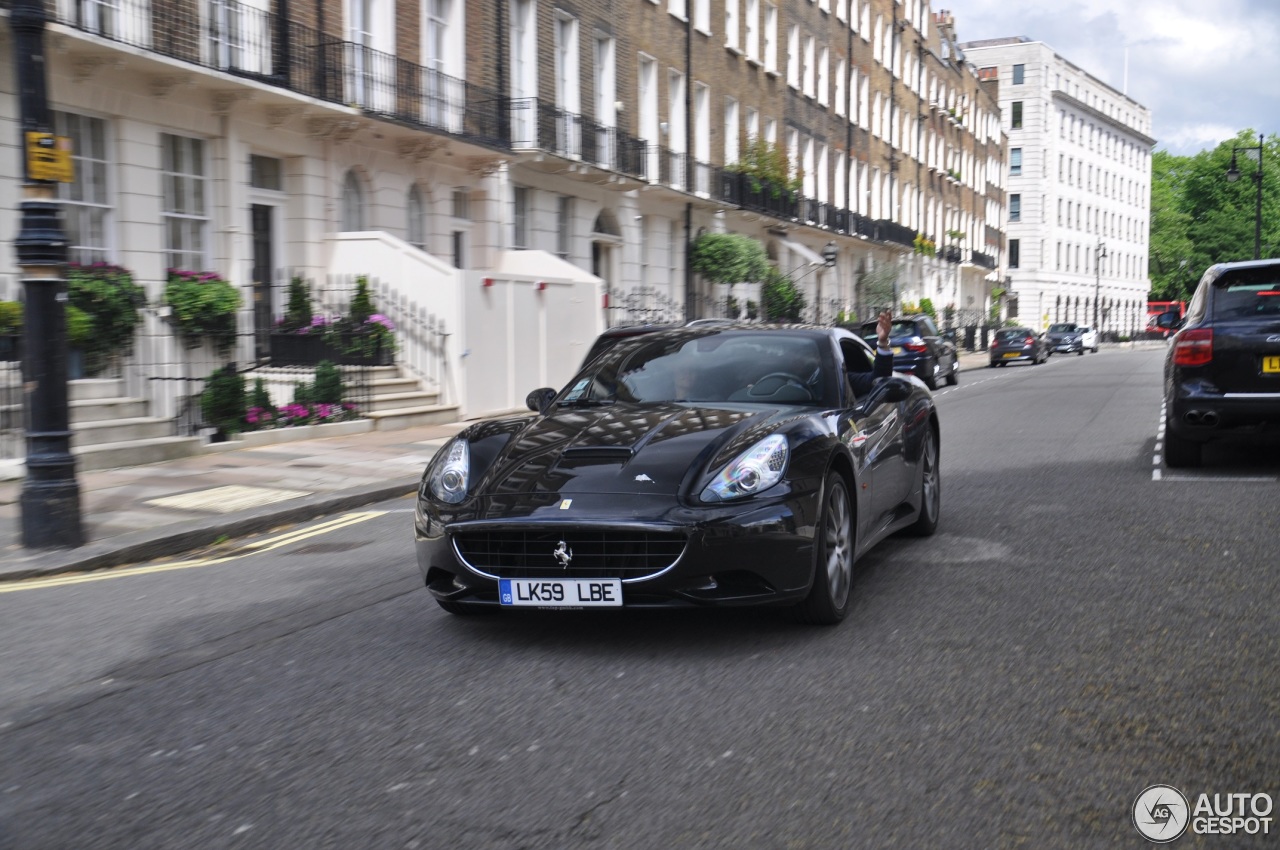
<point>1205,70</point>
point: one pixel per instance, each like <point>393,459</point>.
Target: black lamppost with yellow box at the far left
<point>51,495</point>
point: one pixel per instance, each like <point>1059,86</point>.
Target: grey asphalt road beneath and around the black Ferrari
<point>1084,625</point>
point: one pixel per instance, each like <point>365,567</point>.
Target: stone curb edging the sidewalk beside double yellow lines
<point>170,541</point>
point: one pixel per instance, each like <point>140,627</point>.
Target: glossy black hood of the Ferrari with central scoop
<point>619,449</point>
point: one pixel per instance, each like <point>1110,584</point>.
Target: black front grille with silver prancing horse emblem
<point>614,554</point>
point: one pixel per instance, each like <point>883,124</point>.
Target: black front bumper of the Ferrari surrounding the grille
<point>752,555</point>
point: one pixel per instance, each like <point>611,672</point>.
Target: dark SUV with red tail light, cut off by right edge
<point>1223,369</point>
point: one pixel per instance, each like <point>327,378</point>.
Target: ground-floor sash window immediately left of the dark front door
<point>186,212</point>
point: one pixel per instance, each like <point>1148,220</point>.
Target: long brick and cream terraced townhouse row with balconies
<point>513,176</point>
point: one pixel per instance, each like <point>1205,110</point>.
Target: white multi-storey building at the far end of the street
<point>1080,189</point>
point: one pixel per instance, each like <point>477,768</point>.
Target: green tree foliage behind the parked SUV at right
<point>1200,218</point>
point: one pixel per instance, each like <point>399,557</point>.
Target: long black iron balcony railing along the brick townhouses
<point>239,39</point>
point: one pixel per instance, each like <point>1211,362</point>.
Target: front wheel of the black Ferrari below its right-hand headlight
<point>828,602</point>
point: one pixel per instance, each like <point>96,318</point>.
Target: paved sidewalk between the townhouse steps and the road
<point>162,510</point>
